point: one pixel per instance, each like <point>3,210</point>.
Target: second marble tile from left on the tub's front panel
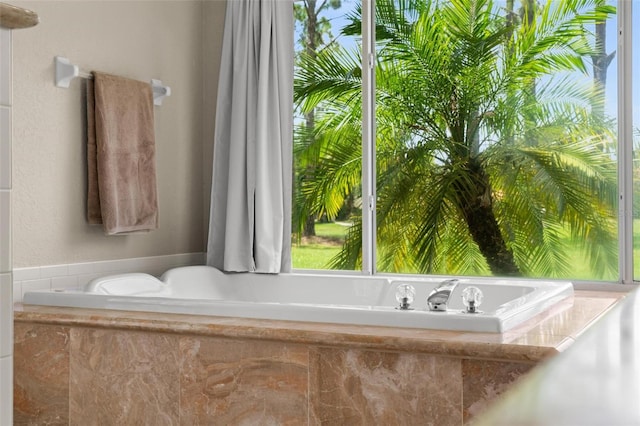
<point>120,377</point>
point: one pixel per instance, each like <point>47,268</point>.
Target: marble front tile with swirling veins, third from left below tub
<point>249,382</point>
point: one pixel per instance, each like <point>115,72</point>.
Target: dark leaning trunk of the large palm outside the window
<point>476,205</point>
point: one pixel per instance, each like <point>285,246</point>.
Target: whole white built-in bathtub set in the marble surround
<point>350,299</point>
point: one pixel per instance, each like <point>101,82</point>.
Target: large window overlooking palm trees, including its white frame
<point>474,138</point>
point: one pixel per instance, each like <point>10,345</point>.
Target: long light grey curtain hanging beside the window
<point>249,224</point>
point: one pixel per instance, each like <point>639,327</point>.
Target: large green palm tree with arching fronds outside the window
<point>486,149</point>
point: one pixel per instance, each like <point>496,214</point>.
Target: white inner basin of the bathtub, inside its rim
<point>195,282</point>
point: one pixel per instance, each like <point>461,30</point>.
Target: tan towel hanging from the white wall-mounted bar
<point>122,193</point>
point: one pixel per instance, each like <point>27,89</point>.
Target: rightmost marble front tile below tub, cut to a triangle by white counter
<point>484,380</point>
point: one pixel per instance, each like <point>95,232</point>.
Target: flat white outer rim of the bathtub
<point>499,321</point>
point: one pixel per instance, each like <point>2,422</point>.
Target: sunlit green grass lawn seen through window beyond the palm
<point>317,252</point>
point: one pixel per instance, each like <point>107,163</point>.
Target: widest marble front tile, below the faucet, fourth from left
<point>355,387</point>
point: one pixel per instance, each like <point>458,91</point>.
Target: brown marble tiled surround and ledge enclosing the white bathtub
<point>81,367</point>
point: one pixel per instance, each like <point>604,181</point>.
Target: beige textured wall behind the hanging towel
<point>136,39</point>
